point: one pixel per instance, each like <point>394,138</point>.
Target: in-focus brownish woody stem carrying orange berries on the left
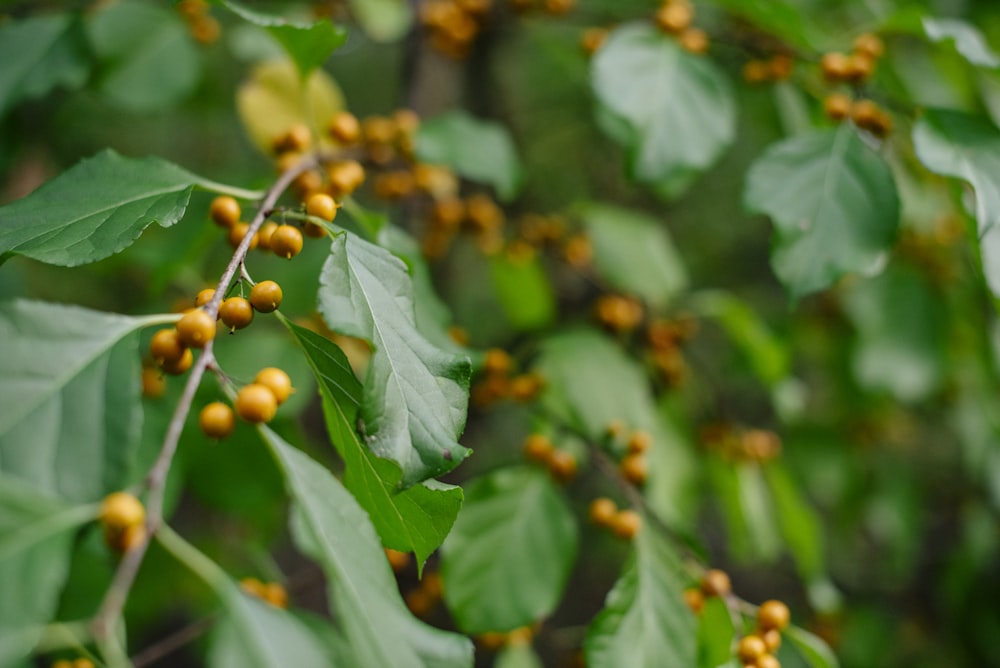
<point>109,613</point>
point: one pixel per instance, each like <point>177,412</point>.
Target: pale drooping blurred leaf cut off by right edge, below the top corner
<point>967,147</point>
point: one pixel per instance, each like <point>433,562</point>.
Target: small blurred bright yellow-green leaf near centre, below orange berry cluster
<point>524,291</point>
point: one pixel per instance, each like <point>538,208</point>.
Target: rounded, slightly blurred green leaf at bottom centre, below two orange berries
<point>509,557</point>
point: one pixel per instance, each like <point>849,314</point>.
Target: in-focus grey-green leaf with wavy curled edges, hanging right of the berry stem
<point>415,394</point>
